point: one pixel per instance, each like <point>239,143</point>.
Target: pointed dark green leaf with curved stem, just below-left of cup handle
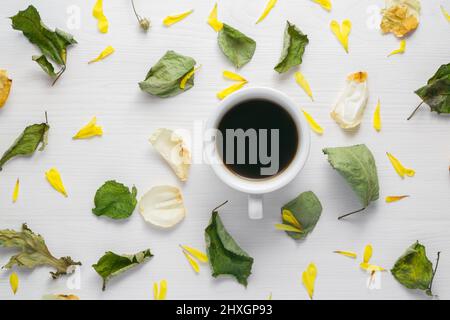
<point>224,254</point>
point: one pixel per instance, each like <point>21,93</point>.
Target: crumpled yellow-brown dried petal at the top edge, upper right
<point>400,17</point>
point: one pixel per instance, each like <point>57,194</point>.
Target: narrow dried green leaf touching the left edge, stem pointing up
<point>27,143</point>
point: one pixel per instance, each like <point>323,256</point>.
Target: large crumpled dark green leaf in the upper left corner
<point>53,44</point>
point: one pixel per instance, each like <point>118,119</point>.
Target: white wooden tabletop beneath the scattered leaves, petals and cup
<point>109,90</point>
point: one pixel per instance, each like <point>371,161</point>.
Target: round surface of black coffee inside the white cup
<point>257,139</point>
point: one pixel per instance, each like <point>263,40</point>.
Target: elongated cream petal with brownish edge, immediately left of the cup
<point>171,147</point>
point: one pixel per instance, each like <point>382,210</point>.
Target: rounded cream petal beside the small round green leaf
<point>162,206</point>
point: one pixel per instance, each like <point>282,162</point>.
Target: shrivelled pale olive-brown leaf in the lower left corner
<point>33,252</point>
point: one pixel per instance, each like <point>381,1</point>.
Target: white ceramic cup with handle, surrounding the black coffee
<point>256,188</point>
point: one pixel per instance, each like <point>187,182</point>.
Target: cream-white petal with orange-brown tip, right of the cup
<point>349,109</point>
